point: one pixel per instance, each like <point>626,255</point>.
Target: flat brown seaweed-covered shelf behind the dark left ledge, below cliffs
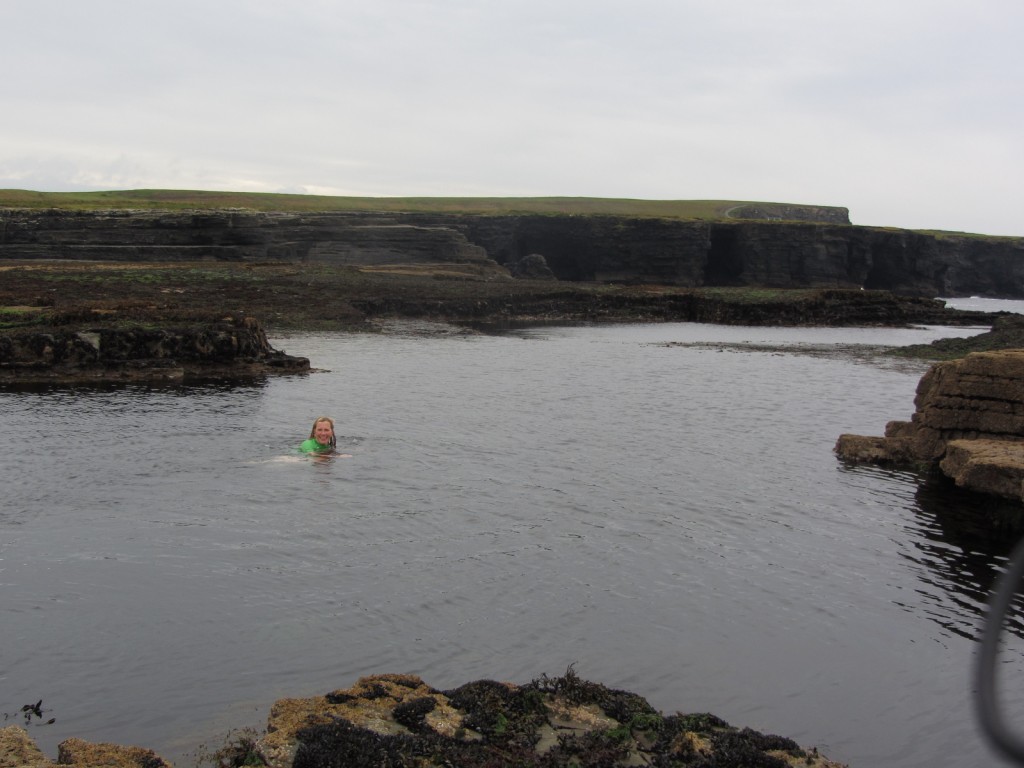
<point>321,297</point>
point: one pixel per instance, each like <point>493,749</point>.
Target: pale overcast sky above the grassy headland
<point>910,113</point>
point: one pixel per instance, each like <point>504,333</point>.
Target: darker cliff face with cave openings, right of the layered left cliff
<point>758,253</point>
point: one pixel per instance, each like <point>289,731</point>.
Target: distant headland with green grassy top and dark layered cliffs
<point>687,244</point>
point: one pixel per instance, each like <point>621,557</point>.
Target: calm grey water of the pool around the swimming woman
<point>668,518</point>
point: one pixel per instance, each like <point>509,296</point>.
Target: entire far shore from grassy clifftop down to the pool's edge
<point>89,277</point>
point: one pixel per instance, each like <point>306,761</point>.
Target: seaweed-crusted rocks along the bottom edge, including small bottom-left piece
<point>398,721</point>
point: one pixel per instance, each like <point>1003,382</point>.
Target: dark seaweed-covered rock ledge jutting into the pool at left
<point>230,349</point>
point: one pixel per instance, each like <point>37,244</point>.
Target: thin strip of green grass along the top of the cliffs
<point>192,200</point>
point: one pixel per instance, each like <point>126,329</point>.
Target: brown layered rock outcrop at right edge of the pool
<point>969,423</point>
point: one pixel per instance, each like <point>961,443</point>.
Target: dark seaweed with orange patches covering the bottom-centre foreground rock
<point>549,723</point>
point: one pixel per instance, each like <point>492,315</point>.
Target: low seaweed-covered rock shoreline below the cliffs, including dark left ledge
<point>73,322</point>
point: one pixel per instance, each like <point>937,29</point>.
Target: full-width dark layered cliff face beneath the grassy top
<point>779,254</point>
